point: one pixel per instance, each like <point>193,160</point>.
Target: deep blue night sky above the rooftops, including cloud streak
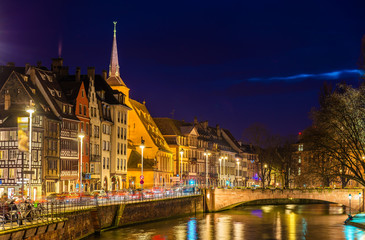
<point>232,63</point>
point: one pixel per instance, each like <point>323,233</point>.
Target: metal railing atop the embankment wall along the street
<point>15,215</point>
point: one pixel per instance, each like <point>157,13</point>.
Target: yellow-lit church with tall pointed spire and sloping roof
<point>139,124</point>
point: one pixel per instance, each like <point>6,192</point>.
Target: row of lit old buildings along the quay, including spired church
<point>86,128</point>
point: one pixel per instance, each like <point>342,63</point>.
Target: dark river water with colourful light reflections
<point>313,221</point>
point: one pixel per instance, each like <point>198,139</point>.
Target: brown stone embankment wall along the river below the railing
<point>86,222</point>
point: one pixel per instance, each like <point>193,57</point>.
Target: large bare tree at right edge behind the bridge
<point>338,133</point>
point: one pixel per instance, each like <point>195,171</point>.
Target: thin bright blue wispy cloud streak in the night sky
<point>320,76</point>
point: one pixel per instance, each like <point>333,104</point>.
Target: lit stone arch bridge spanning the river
<point>223,199</point>
